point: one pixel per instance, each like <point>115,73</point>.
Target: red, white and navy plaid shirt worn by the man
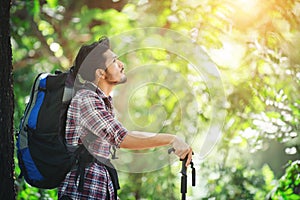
<point>92,112</point>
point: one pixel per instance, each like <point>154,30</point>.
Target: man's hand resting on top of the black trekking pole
<point>182,149</point>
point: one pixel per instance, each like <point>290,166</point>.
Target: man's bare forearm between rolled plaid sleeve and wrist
<point>136,140</point>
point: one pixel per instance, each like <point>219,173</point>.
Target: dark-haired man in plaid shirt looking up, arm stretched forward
<point>91,121</point>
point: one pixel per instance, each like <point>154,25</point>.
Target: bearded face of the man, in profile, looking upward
<point>115,68</point>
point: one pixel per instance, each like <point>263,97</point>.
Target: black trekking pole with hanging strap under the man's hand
<point>183,187</point>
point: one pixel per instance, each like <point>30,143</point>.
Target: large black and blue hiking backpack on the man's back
<point>43,157</point>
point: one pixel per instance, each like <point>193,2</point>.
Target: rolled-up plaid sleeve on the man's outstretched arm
<point>98,120</point>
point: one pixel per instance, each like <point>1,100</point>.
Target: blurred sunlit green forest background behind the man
<point>254,46</point>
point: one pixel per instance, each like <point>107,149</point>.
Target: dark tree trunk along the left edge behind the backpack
<point>7,189</point>
